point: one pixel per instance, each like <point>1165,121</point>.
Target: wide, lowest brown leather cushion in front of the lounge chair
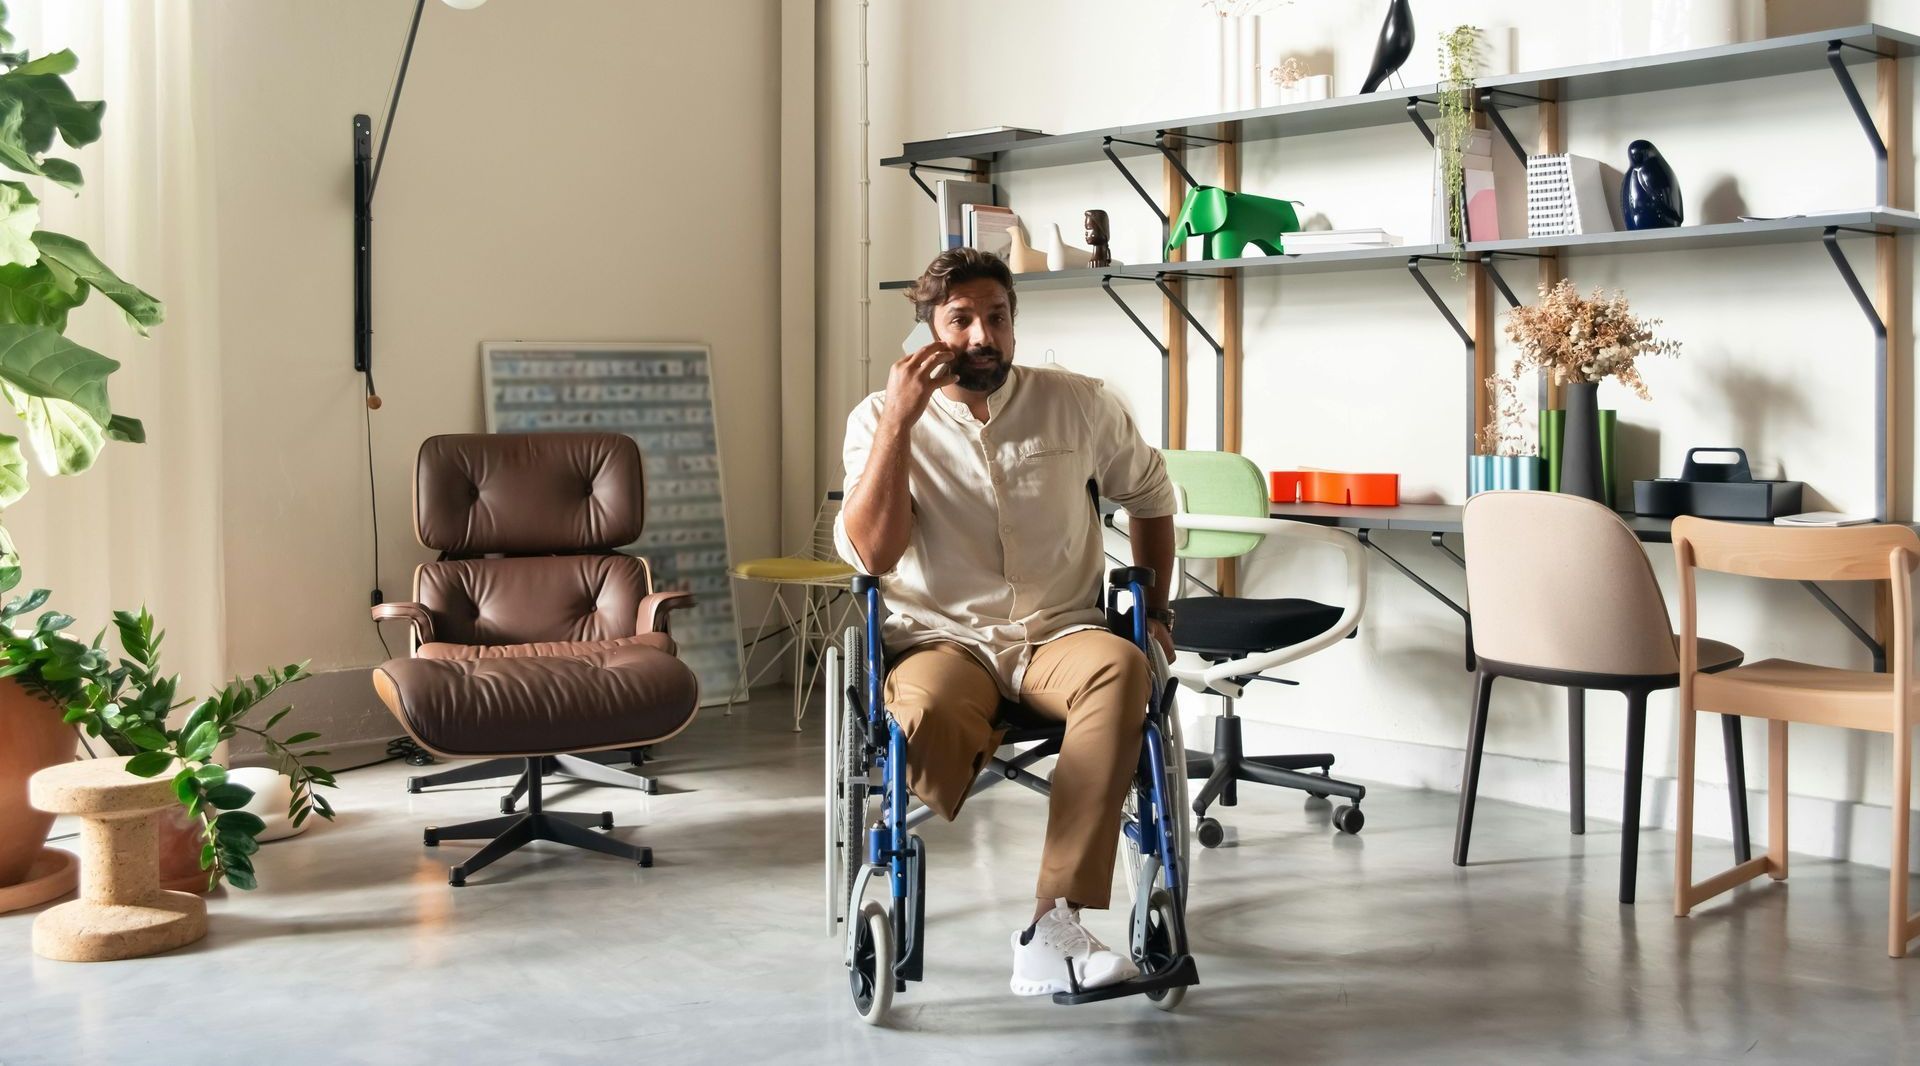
<point>540,706</point>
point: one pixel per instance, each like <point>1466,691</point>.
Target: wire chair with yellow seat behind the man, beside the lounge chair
<point>823,581</point>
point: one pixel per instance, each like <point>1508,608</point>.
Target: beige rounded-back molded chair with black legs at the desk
<point>1564,594</point>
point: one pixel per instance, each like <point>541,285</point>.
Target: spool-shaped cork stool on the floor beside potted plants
<point>122,913</point>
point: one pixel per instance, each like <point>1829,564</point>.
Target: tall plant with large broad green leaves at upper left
<point>59,389</point>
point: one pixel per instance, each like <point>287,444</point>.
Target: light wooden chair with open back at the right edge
<point>1783,690</point>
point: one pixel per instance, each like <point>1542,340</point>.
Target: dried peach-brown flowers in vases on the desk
<point>1575,341</point>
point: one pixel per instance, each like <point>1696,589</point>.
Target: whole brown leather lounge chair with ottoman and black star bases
<point>533,637</point>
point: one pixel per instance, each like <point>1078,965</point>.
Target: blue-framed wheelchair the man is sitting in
<point>871,846</point>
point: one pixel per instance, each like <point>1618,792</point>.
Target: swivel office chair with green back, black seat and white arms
<point>1224,516</point>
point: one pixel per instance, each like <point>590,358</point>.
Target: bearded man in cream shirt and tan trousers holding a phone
<point>969,497</point>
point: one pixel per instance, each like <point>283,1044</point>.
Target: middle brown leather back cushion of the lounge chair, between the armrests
<point>533,600</point>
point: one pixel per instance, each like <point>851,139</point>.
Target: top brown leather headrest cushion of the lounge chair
<point>539,493</point>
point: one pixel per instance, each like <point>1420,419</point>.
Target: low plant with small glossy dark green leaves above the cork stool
<point>128,704</point>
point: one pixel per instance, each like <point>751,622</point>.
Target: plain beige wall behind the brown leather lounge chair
<point>596,170</point>
